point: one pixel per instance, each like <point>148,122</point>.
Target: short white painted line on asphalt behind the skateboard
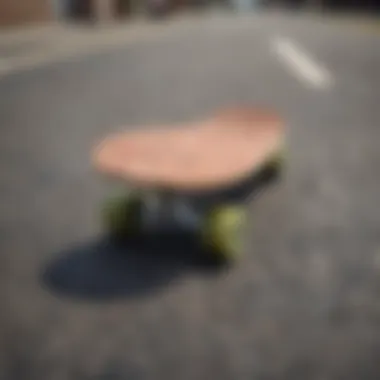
<point>302,65</point>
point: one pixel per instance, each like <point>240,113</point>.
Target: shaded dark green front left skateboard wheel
<point>122,216</point>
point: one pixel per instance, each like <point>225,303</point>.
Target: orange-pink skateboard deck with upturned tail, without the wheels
<point>203,155</point>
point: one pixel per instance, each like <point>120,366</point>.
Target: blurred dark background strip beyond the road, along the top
<point>97,10</point>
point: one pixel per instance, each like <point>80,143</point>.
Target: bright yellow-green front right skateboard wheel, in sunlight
<point>221,234</point>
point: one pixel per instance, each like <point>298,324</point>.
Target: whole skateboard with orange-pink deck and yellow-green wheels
<point>171,176</point>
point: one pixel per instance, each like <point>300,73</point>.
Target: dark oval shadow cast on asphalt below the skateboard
<point>105,270</point>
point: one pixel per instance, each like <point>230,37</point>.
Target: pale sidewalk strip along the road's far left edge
<point>31,47</point>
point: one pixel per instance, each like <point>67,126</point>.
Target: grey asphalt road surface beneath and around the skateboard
<point>303,302</point>
